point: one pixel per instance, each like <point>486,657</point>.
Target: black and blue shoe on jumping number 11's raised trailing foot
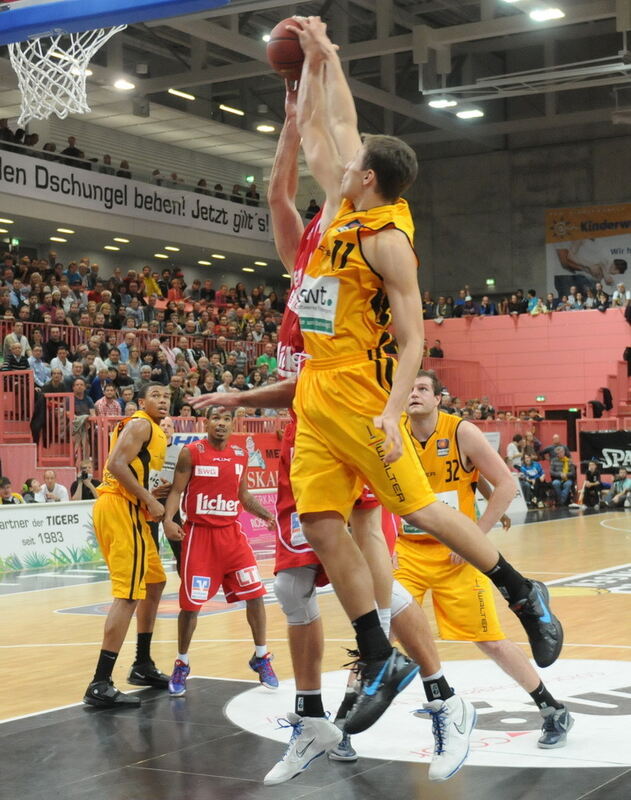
<point>545,632</point>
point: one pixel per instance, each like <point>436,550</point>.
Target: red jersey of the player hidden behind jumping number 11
<point>289,336</point>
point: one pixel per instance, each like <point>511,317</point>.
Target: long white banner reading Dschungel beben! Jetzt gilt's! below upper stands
<point>72,186</point>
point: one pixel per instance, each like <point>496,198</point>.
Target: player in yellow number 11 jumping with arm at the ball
<point>350,397</point>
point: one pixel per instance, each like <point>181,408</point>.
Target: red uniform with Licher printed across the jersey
<point>215,551</point>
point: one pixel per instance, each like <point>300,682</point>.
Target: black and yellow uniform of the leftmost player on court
<point>120,520</point>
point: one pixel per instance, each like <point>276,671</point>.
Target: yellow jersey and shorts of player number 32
<point>462,596</point>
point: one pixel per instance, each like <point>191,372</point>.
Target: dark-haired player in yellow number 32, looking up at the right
<point>456,456</point>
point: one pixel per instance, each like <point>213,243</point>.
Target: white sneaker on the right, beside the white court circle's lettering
<point>453,721</point>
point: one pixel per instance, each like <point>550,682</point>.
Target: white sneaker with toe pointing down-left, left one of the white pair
<point>311,738</point>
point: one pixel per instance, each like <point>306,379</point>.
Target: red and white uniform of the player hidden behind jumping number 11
<point>292,549</point>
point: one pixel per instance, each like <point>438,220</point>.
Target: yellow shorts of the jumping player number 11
<point>338,449</point>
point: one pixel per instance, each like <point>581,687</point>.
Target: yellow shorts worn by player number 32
<point>462,596</point>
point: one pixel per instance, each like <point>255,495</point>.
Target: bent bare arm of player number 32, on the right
<point>474,446</point>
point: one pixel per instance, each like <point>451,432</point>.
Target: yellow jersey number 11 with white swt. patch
<point>341,301</point>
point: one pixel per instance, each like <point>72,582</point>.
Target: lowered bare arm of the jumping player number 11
<point>391,256</point>
